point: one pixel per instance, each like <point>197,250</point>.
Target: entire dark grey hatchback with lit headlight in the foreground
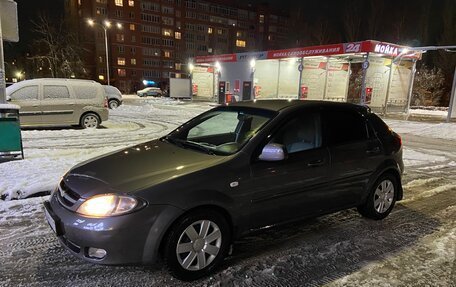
<point>233,169</point>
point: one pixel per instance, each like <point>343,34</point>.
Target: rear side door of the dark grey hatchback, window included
<point>354,156</point>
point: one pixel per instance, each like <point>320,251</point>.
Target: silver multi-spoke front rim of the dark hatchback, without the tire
<point>198,245</point>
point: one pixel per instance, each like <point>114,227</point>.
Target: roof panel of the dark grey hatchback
<point>279,105</point>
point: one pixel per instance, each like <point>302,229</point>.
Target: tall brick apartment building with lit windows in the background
<point>156,38</point>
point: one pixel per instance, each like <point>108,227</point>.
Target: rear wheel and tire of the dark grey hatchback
<point>381,199</point>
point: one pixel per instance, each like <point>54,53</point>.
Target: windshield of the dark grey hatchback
<point>222,131</point>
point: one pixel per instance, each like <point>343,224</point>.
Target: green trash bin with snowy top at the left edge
<point>10,132</point>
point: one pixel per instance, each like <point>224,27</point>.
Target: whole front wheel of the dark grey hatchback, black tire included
<point>196,244</point>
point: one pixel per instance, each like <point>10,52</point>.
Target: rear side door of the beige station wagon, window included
<point>57,104</point>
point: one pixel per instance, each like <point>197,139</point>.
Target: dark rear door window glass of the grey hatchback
<point>344,126</point>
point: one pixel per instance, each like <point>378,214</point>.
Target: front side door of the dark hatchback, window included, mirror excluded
<point>295,187</point>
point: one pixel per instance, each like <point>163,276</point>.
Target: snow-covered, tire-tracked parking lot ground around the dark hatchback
<point>414,246</point>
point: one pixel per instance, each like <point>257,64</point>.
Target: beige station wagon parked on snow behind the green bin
<point>58,102</point>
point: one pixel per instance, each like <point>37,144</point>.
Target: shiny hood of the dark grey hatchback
<point>136,168</point>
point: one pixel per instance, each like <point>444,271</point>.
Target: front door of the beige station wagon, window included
<point>28,99</point>
